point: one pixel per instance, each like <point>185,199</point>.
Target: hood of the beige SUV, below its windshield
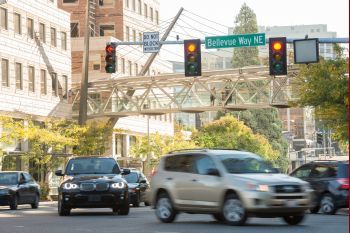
<point>270,178</point>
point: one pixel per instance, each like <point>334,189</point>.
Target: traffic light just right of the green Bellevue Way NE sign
<point>278,56</point>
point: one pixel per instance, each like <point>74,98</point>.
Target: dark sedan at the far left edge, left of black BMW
<point>17,188</point>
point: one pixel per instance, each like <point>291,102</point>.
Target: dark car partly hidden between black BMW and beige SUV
<point>138,186</point>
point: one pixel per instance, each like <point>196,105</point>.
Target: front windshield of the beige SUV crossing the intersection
<point>245,163</point>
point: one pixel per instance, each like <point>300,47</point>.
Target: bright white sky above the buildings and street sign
<point>269,13</point>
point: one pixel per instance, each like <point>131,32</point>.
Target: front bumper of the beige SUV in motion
<point>276,204</point>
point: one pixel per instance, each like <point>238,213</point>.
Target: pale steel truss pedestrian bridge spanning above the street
<point>235,89</point>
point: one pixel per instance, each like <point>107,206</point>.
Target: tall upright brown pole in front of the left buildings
<point>85,75</point>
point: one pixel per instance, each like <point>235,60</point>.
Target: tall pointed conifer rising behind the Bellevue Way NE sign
<point>245,23</point>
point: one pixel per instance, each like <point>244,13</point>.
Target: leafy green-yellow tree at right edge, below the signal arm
<point>324,85</point>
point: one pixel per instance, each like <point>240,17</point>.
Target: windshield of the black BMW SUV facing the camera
<point>92,166</point>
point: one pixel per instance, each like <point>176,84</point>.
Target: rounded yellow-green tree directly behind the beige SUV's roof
<point>228,132</point>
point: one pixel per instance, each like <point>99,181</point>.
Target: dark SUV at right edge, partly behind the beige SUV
<point>330,180</point>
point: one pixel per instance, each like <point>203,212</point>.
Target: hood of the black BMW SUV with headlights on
<point>96,178</point>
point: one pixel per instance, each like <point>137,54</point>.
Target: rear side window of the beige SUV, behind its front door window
<point>179,163</point>
